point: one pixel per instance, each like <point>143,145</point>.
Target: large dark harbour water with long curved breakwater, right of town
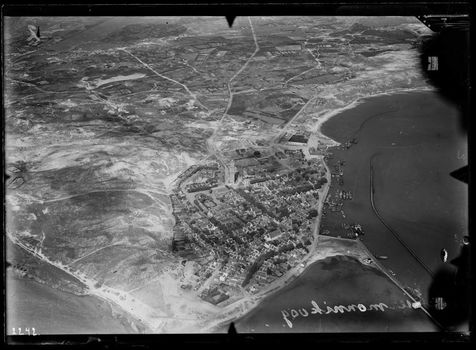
<point>415,140</point>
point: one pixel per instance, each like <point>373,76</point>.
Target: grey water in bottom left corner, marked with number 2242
<point>32,305</point>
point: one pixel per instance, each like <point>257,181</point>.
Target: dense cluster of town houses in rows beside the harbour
<point>249,232</point>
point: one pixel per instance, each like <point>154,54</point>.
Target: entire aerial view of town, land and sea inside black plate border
<point>181,175</point>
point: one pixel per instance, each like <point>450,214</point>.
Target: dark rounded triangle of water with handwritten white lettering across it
<point>350,289</point>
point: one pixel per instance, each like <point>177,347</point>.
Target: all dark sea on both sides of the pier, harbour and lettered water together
<point>415,141</point>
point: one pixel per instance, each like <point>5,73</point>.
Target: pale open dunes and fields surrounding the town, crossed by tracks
<point>103,114</point>
